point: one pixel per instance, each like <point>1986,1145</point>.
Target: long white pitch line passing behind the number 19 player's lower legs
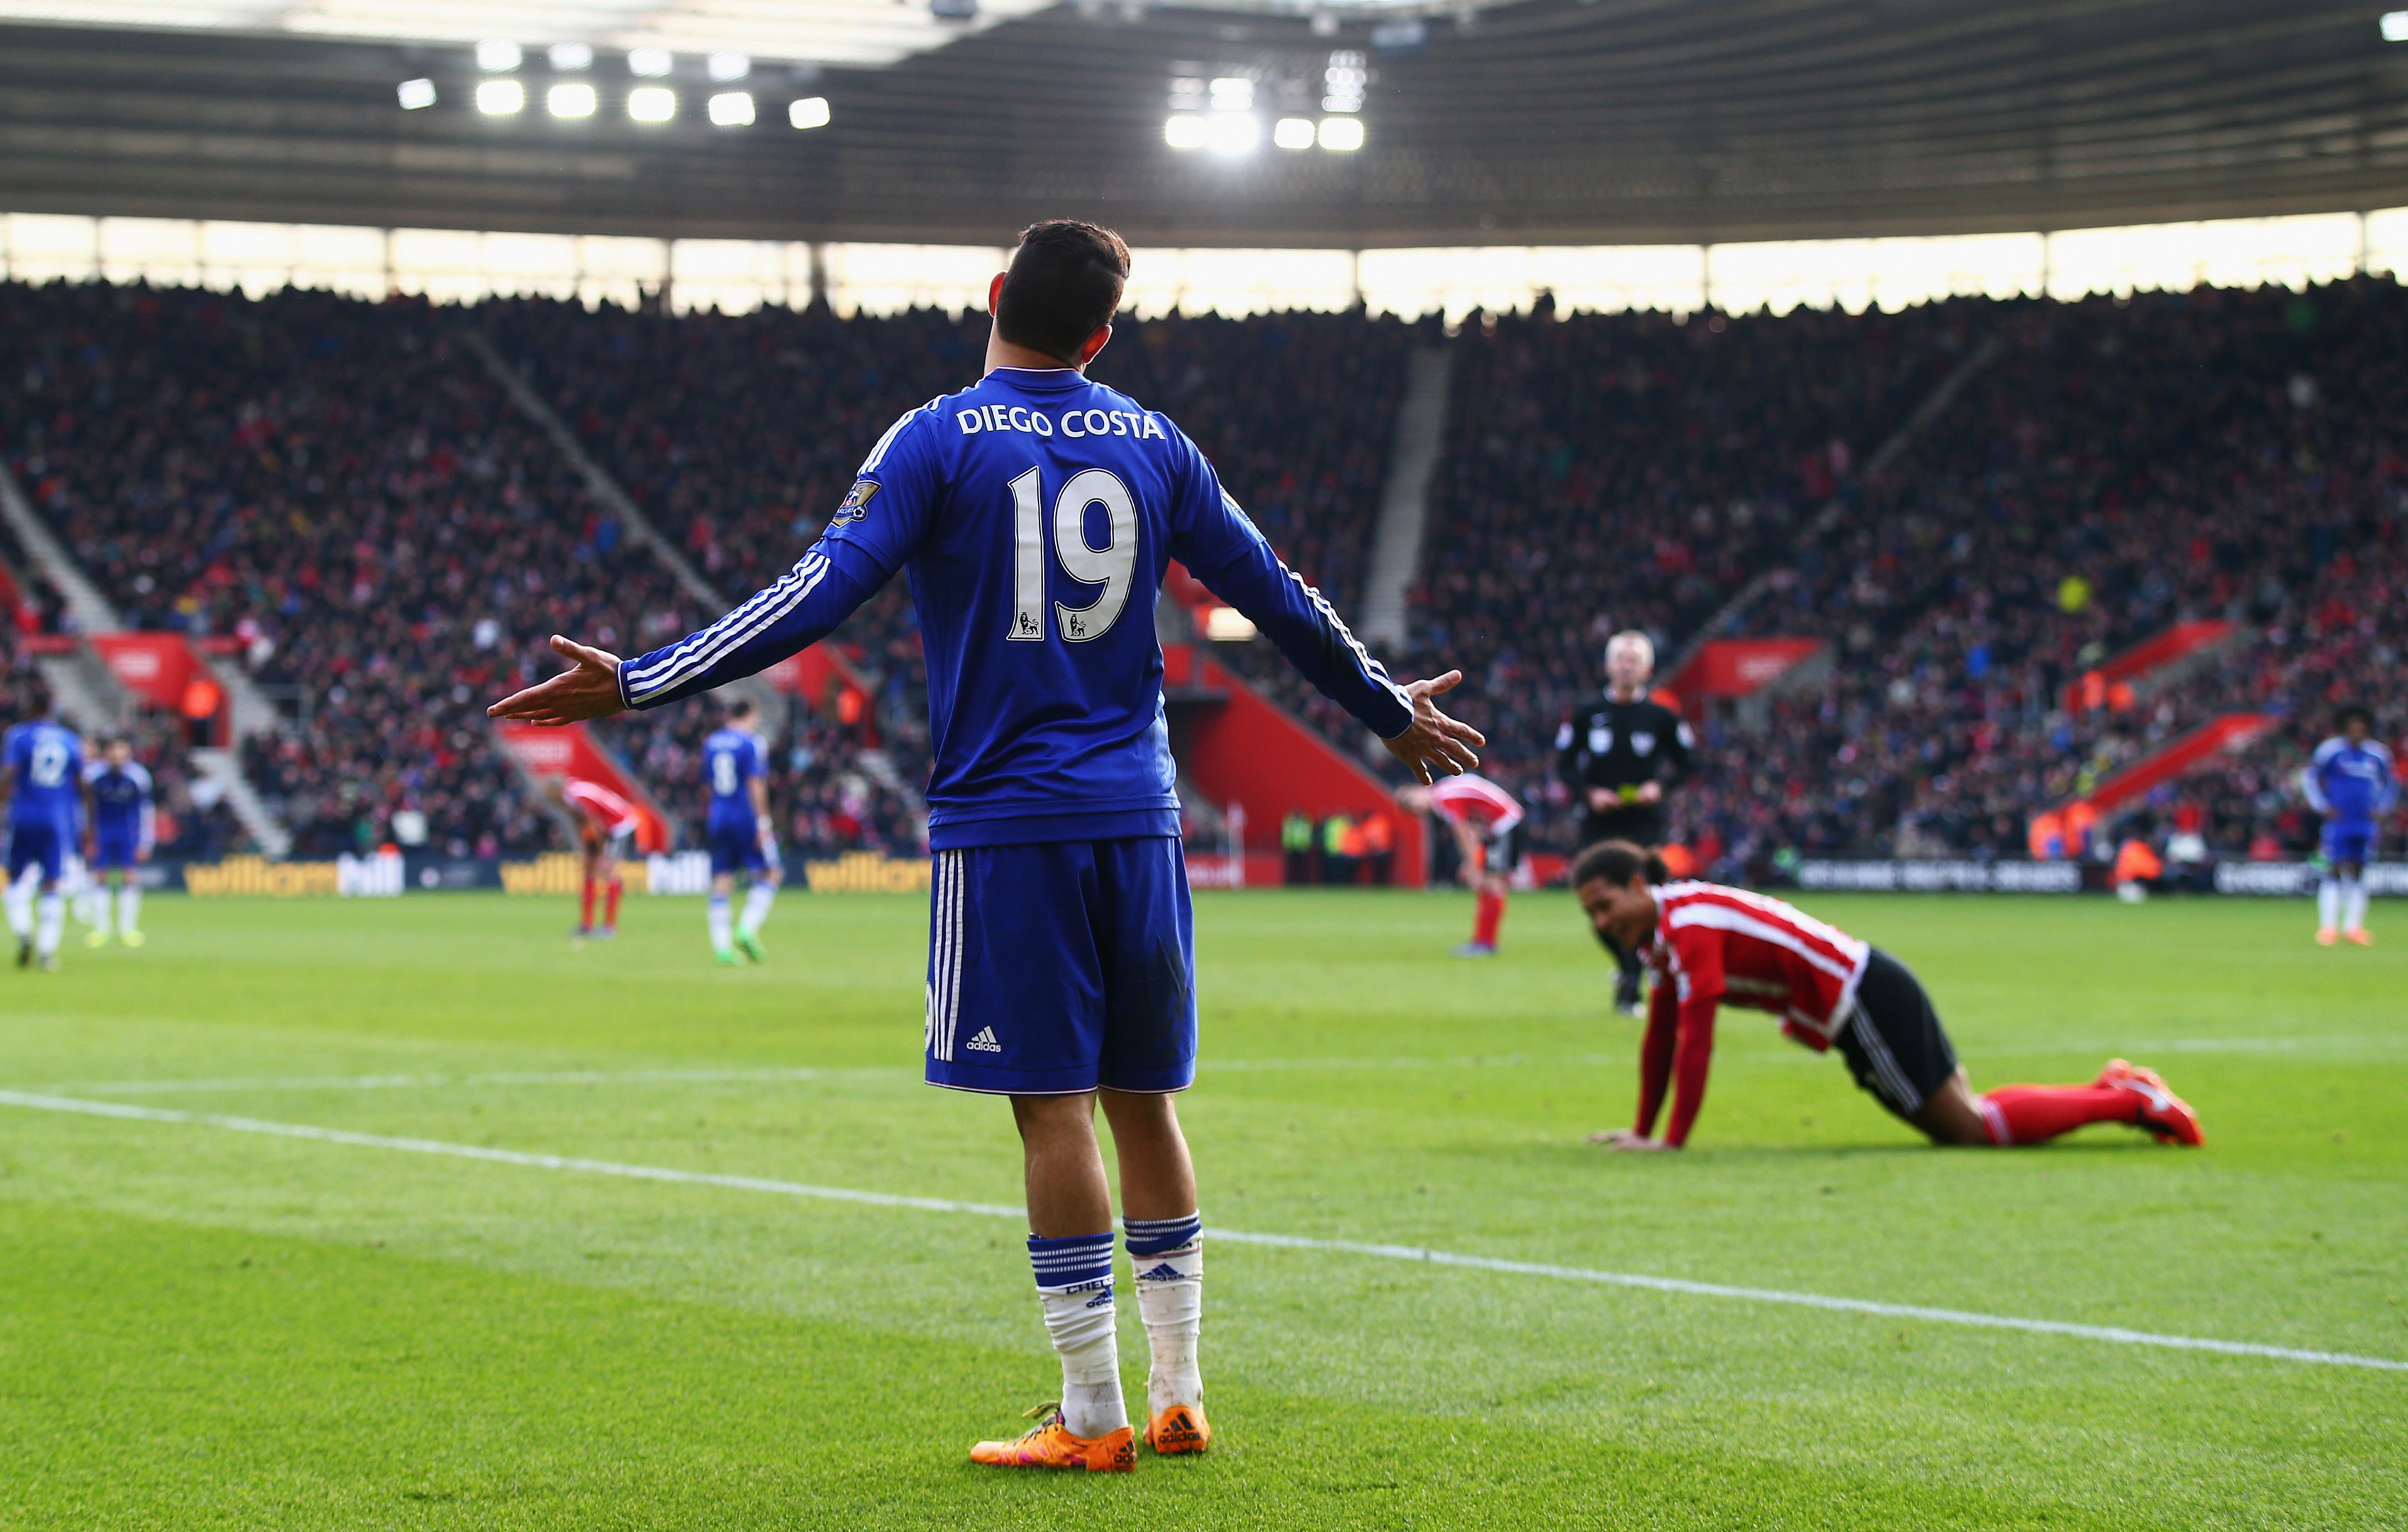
<point>1282,1242</point>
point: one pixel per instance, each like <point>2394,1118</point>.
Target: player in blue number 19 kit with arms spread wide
<point>1037,514</point>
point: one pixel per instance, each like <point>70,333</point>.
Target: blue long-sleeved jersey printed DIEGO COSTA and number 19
<point>1037,517</point>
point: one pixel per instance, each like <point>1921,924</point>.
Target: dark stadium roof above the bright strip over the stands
<point>1547,122</point>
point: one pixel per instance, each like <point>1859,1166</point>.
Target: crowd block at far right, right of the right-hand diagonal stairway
<point>2123,466</point>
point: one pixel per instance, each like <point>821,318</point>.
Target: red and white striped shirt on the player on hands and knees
<point>1723,945</point>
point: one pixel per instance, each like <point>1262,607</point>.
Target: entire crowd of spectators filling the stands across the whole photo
<point>343,493</point>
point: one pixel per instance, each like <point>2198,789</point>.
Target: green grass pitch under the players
<point>213,1328</point>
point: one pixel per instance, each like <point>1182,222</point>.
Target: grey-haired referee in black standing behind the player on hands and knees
<point>1619,760</point>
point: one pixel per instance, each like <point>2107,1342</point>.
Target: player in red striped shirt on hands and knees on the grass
<point>1713,945</point>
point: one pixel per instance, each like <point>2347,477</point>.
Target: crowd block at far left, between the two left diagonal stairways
<point>341,490</point>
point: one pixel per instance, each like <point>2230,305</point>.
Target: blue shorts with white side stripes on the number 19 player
<point>1063,967</point>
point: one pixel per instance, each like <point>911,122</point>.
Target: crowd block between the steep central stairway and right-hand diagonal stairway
<point>1636,471</point>
